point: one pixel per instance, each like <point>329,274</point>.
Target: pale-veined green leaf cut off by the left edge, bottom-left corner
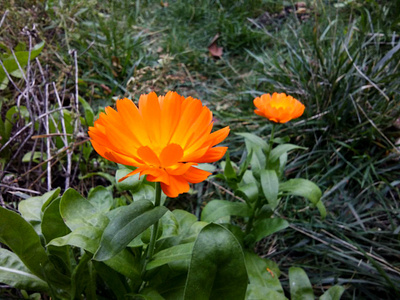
<point>14,273</point>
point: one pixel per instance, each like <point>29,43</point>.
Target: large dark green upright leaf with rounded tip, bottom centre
<point>217,268</point>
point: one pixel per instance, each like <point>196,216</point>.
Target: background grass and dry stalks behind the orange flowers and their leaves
<point>340,58</point>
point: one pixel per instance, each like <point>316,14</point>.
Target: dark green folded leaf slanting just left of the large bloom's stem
<point>124,227</point>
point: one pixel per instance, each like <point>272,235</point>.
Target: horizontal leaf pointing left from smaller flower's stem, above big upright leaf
<point>217,209</point>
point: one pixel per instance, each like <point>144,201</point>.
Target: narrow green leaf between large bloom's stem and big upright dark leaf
<point>178,252</point>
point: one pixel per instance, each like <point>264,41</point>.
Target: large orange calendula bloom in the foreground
<point>165,138</point>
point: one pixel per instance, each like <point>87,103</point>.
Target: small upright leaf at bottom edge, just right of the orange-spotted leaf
<point>300,286</point>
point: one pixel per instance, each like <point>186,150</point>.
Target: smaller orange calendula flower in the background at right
<point>278,108</point>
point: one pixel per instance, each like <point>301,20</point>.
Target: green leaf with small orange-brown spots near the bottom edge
<point>263,276</point>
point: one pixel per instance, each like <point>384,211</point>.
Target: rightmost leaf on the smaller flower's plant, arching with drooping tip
<point>304,188</point>
